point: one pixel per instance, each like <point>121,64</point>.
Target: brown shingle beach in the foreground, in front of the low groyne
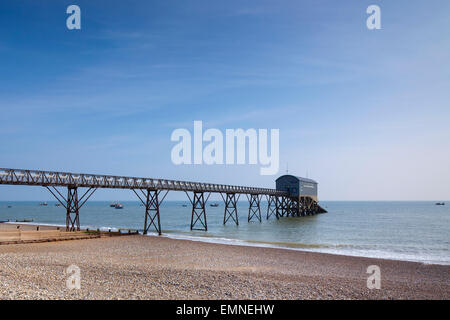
<point>143,267</point>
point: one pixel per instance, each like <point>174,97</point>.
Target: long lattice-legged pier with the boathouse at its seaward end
<point>283,201</point>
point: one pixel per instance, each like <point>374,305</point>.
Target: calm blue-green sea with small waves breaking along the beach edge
<point>415,231</point>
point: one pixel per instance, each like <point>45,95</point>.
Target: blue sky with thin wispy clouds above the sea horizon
<point>365,113</point>
